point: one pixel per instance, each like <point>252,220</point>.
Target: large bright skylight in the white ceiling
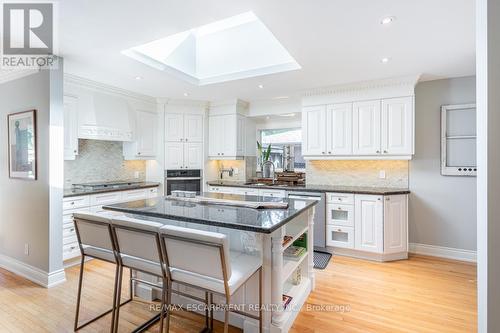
<point>234,48</point>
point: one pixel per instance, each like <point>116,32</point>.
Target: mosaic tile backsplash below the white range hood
<point>101,161</point>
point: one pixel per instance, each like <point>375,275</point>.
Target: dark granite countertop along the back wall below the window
<point>317,188</point>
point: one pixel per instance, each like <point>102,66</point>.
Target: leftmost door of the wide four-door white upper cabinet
<point>314,130</point>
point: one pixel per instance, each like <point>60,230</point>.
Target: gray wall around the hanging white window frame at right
<point>442,209</point>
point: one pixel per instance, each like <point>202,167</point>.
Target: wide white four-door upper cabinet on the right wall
<point>375,129</point>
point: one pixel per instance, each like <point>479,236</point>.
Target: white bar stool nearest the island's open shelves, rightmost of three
<point>201,259</point>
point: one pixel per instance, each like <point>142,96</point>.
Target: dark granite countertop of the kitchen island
<point>241,218</point>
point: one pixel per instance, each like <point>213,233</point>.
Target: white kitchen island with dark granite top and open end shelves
<point>259,232</point>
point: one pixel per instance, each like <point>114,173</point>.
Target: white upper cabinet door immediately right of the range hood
<point>146,129</point>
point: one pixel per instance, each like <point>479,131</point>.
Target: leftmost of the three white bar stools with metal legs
<point>95,240</point>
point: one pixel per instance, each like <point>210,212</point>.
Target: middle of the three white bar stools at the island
<point>138,248</point>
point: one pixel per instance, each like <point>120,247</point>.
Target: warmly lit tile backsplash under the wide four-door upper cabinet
<point>358,173</point>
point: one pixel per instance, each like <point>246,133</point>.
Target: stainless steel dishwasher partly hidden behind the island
<point>319,215</point>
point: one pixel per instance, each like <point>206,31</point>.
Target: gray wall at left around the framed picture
<point>27,215</point>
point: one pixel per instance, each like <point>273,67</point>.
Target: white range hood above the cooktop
<point>105,117</point>
